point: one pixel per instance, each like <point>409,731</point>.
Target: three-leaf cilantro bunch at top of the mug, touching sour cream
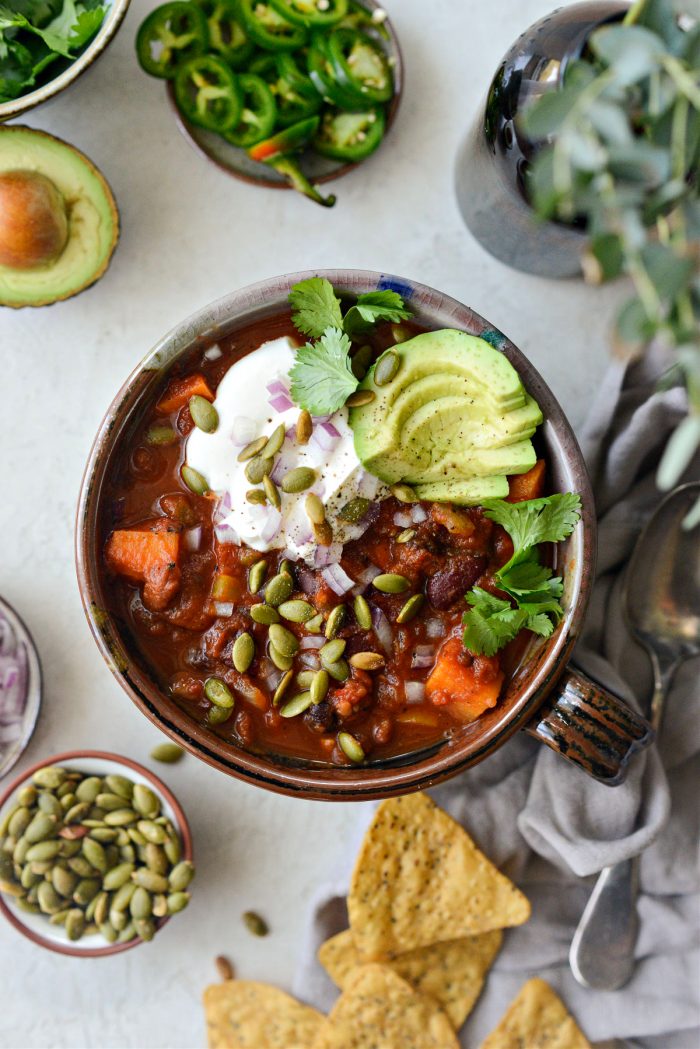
<point>323,377</point>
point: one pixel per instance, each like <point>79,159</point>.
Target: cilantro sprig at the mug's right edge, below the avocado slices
<point>534,591</point>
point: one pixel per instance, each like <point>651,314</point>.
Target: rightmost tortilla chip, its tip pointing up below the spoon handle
<point>538,1019</point>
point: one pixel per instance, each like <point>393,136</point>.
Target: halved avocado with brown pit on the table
<point>59,223</point>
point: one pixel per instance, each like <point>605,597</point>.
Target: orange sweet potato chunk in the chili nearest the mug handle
<point>469,691</point>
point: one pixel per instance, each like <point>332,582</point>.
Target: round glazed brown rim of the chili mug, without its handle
<point>278,773</point>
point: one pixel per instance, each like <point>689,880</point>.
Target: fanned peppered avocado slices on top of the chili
<point>455,421</point>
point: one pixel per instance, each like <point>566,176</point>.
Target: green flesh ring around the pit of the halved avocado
<point>92,213</point>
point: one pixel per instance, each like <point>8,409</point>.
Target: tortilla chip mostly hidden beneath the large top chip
<point>452,973</point>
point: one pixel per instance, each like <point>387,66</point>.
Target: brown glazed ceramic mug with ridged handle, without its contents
<point>547,697</point>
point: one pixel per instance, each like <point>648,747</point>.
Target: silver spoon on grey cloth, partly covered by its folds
<point>662,601</point>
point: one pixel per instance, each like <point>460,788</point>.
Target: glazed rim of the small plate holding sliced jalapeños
<point>344,167</point>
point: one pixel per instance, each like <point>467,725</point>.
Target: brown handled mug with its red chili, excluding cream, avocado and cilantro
<point>166,659</point>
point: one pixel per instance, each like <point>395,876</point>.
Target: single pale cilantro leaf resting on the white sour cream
<point>322,376</point>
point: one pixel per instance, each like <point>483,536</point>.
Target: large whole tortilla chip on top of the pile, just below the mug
<point>419,880</point>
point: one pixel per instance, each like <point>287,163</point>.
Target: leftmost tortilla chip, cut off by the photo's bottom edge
<point>244,1015</point>
